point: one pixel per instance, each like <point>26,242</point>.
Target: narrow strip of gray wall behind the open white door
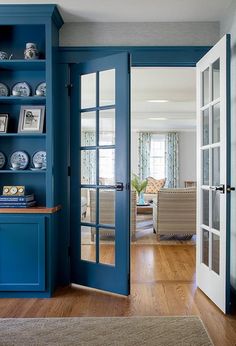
<point>228,25</point>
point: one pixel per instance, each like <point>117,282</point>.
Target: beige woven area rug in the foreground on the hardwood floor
<point>104,331</point>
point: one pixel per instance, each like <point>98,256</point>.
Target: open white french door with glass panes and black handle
<point>213,93</point>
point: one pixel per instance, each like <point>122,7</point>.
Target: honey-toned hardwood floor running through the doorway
<point>163,283</point>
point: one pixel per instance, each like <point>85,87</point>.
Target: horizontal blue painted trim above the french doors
<point>142,56</point>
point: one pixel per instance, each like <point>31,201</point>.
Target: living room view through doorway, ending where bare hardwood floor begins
<point>163,155</point>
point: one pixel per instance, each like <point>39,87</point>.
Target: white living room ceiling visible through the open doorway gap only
<point>177,85</point>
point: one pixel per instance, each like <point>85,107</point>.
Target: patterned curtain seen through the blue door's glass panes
<point>88,159</point>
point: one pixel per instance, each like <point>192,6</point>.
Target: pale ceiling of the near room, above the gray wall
<point>136,10</point>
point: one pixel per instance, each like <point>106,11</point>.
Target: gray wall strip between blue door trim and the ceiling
<point>140,34</point>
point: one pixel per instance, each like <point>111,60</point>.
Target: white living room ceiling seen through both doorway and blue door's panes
<point>175,85</point>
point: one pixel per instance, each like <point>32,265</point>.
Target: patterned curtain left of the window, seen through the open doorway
<point>144,154</point>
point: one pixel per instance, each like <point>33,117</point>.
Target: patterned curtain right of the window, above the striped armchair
<point>172,160</point>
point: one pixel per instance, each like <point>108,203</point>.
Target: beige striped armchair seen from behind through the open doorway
<point>174,213</point>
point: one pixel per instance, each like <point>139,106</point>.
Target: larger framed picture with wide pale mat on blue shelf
<point>31,119</point>
